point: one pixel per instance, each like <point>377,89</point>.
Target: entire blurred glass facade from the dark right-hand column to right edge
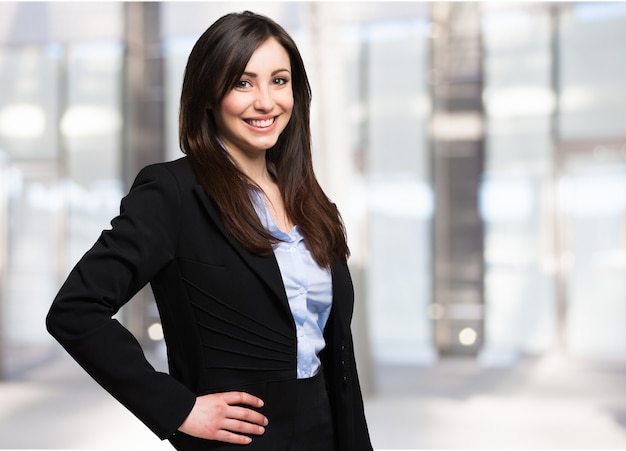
<point>553,191</point>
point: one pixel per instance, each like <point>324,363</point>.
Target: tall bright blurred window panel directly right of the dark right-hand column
<point>516,191</point>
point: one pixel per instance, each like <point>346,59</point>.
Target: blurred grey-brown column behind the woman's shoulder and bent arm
<point>144,119</point>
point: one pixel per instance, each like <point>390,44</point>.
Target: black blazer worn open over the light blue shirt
<point>224,312</point>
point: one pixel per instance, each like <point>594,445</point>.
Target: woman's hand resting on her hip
<point>224,417</point>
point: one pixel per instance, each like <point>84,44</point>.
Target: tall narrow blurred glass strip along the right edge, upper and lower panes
<point>592,178</point>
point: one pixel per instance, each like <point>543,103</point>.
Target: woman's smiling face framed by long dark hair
<point>257,109</point>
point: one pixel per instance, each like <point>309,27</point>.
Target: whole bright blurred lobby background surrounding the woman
<point>477,152</point>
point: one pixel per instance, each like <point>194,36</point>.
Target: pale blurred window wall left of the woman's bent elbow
<point>60,146</point>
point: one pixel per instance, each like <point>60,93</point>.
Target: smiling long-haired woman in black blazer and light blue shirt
<point>246,257</point>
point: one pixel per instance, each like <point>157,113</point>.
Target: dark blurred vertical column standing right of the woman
<point>457,152</point>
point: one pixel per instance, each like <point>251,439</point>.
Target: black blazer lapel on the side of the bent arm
<point>265,266</point>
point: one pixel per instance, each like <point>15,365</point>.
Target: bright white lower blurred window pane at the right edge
<point>593,208</point>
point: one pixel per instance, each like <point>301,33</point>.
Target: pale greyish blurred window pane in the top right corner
<point>593,70</point>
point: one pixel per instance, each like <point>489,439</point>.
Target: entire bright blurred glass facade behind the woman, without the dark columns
<point>553,192</point>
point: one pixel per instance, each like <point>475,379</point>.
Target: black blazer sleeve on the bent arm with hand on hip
<point>124,259</point>
